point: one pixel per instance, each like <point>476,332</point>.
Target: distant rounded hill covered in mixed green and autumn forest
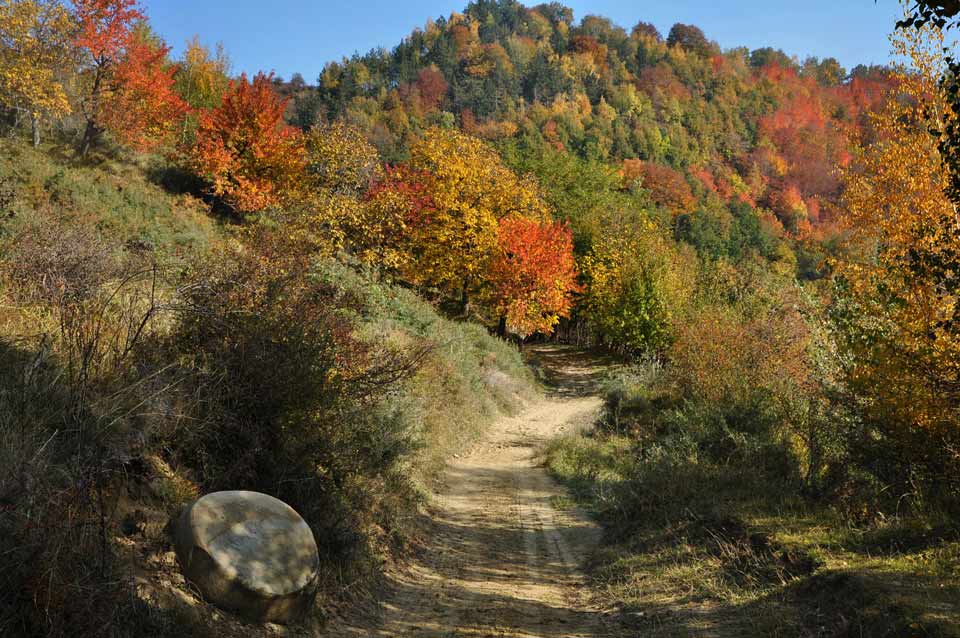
<point>695,126</point>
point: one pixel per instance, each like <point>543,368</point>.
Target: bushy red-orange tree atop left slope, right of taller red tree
<point>244,149</point>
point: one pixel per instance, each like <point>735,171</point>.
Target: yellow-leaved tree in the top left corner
<point>34,57</point>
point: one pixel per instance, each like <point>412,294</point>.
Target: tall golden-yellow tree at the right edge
<point>899,279</point>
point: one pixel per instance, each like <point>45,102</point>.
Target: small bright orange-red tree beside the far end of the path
<point>533,277</point>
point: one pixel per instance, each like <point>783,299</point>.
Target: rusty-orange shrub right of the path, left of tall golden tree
<point>747,379</point>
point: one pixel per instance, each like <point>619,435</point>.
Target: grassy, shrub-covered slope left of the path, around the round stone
<point>149,356</point>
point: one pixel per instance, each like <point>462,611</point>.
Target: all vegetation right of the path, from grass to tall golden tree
<point>778,467</point>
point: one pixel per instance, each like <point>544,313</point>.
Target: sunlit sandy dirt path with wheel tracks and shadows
<point>501,560</point>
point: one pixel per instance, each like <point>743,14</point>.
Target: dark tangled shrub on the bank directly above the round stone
<point>289,400</point>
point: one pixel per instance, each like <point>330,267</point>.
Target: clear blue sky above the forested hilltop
<point>302,35</point>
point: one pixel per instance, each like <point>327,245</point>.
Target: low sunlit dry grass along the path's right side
<point>711,551</point>
